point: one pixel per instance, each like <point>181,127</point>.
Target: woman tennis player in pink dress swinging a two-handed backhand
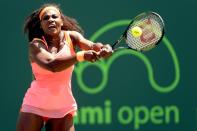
<point>53,38</point>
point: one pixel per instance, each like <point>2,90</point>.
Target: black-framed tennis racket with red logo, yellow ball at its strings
<point>143,33</point>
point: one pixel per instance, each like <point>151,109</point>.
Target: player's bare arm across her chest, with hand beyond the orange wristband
<point>52,62</point>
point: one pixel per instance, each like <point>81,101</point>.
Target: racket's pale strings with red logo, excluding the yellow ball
<point>152,30</point>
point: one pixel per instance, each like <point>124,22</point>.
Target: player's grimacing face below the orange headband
<point>51,22</point>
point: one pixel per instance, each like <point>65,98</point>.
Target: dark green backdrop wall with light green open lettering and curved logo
<point>127,101</point>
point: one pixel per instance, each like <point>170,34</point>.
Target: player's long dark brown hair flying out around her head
<point>33,28</point>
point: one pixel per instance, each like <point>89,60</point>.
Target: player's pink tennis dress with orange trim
<point>50,94</point>
